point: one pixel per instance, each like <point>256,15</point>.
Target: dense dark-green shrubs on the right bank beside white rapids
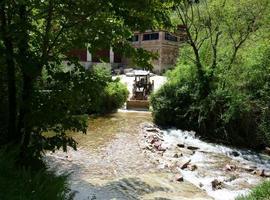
<point>236,111</point>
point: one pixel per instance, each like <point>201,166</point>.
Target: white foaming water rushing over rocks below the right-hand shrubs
<point>211,161</point>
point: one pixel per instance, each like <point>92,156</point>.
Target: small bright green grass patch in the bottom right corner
<point>261,192</point>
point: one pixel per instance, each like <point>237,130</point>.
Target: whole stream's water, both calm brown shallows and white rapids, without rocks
<point>110,164</point>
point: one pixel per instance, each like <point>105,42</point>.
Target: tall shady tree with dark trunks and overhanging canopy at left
<point>36,35</point>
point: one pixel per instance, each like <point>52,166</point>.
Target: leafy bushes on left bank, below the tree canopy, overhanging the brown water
<point>68,95</point>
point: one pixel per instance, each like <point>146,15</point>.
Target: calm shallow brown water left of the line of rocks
<point>109,164</point>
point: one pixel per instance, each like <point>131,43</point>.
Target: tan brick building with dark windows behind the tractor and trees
<point>166,45</point>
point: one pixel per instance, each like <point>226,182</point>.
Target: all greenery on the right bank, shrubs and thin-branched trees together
<point>220,87</point>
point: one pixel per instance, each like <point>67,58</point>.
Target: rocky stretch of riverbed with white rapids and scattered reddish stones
<point>222,172</point>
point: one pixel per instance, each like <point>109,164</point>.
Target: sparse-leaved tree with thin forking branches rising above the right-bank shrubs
<point>212,25</point>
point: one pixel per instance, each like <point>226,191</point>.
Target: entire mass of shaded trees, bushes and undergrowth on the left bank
<point>38,94</point>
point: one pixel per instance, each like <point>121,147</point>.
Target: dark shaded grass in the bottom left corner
<point>17,183</point>
